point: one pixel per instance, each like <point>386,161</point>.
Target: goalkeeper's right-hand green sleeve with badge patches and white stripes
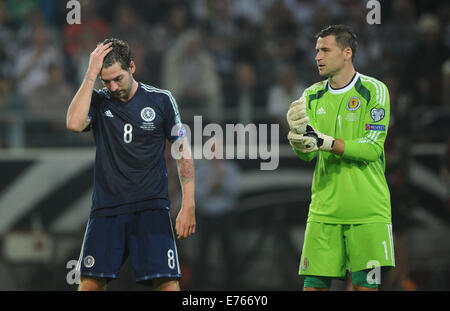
<point>371,145</point>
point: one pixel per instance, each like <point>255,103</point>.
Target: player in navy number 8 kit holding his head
<point>131,122</point>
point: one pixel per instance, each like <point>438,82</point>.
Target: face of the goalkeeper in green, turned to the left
<point>330,56</point>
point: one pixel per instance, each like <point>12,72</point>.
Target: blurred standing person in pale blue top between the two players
<point>217,192</point>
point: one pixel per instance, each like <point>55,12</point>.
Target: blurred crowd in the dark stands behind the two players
<point>231,61</point>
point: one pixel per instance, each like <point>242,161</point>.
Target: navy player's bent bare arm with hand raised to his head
<point>77,114</point>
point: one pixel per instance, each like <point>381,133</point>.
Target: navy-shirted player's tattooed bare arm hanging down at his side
<point>185,222</point>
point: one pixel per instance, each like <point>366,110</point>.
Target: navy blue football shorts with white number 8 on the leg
<point>146,236</point>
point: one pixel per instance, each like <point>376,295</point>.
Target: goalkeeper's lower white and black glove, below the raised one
<point>311,141</point>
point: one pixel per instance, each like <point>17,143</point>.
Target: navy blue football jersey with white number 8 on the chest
<point>130,170</point>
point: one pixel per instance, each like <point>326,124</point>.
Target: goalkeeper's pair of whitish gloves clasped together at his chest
<point>302,136</point>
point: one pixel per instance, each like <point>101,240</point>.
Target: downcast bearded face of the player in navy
<point>118,80</point>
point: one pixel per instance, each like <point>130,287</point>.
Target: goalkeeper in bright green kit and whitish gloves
<point>343,120</point>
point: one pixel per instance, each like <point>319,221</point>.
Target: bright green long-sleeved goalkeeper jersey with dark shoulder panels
<point>352,188</point>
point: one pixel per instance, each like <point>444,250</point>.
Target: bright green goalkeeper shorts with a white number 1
<point>332,249</point>
